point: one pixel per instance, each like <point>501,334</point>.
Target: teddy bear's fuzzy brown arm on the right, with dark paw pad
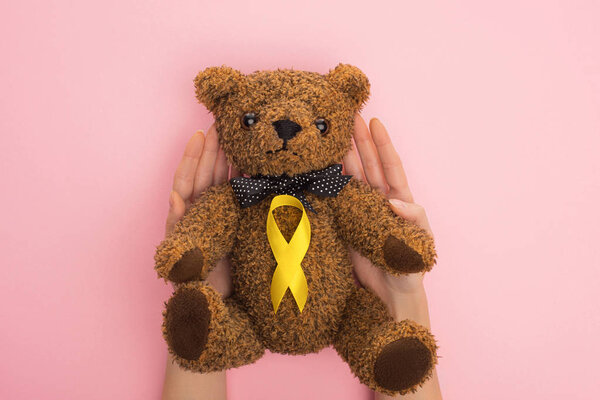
<point>368,224</point>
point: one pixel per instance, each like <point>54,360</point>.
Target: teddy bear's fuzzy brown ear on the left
<point>215,84</point>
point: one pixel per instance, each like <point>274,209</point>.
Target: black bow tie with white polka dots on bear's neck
<point>326,183</point>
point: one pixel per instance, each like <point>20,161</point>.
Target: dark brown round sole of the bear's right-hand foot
<point>402,364</point>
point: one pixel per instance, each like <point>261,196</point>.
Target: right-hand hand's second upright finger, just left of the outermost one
<point>368,155</point>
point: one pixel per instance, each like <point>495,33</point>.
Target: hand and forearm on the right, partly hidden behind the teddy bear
<point>378,163</point>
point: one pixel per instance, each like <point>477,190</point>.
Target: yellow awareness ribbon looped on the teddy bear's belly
<point>288,273</point>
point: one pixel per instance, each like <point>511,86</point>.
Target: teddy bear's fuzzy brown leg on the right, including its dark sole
<point>390,357</point>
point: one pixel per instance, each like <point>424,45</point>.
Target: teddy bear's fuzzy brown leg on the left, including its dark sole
<point>207,334</point>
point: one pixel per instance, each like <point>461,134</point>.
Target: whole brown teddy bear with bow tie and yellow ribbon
<point>286,227</point>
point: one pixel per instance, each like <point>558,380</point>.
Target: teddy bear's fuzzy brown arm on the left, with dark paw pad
<point>204,235</point>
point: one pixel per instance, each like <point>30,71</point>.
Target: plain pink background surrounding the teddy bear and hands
<point>494,107</point>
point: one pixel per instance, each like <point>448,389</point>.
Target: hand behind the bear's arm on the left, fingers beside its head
<point>203,165</point>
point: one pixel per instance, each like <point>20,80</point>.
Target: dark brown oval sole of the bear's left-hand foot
<point>186,323</point>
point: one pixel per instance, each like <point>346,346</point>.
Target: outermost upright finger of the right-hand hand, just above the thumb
<point>391,163</point>
